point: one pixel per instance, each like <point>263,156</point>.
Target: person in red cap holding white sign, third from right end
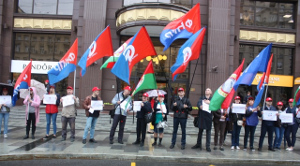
<point>267,126</point>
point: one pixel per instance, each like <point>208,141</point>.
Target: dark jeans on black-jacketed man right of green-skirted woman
<point>182,123</point>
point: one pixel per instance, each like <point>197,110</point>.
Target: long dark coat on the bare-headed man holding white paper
<point>204,117</point>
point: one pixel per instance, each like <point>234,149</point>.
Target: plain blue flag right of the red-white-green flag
<point>259,64</point>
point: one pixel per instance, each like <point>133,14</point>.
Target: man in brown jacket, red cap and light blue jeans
<point>91,114</point>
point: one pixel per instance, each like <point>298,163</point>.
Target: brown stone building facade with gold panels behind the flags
<point>44,30</point>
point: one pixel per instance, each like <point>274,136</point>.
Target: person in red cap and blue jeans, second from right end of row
<point>279,127</point>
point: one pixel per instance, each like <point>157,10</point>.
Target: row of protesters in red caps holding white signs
<point>156,113</point>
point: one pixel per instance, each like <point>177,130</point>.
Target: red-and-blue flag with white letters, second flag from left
<point>65,66</point>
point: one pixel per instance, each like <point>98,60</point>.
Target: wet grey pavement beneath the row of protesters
<point>15,148</point>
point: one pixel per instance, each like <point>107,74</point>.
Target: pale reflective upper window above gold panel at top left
<point>53,7</point>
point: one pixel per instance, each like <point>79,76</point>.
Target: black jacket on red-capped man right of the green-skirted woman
<point>179,110</point>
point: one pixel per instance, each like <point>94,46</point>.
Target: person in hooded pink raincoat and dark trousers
<point>32,102</point>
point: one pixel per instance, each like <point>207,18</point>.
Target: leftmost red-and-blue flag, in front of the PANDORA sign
<point>23,82</point>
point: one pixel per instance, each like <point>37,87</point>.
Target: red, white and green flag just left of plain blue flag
<point>225,92</point>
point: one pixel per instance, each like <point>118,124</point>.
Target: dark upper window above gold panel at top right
<point>267,14</point>
